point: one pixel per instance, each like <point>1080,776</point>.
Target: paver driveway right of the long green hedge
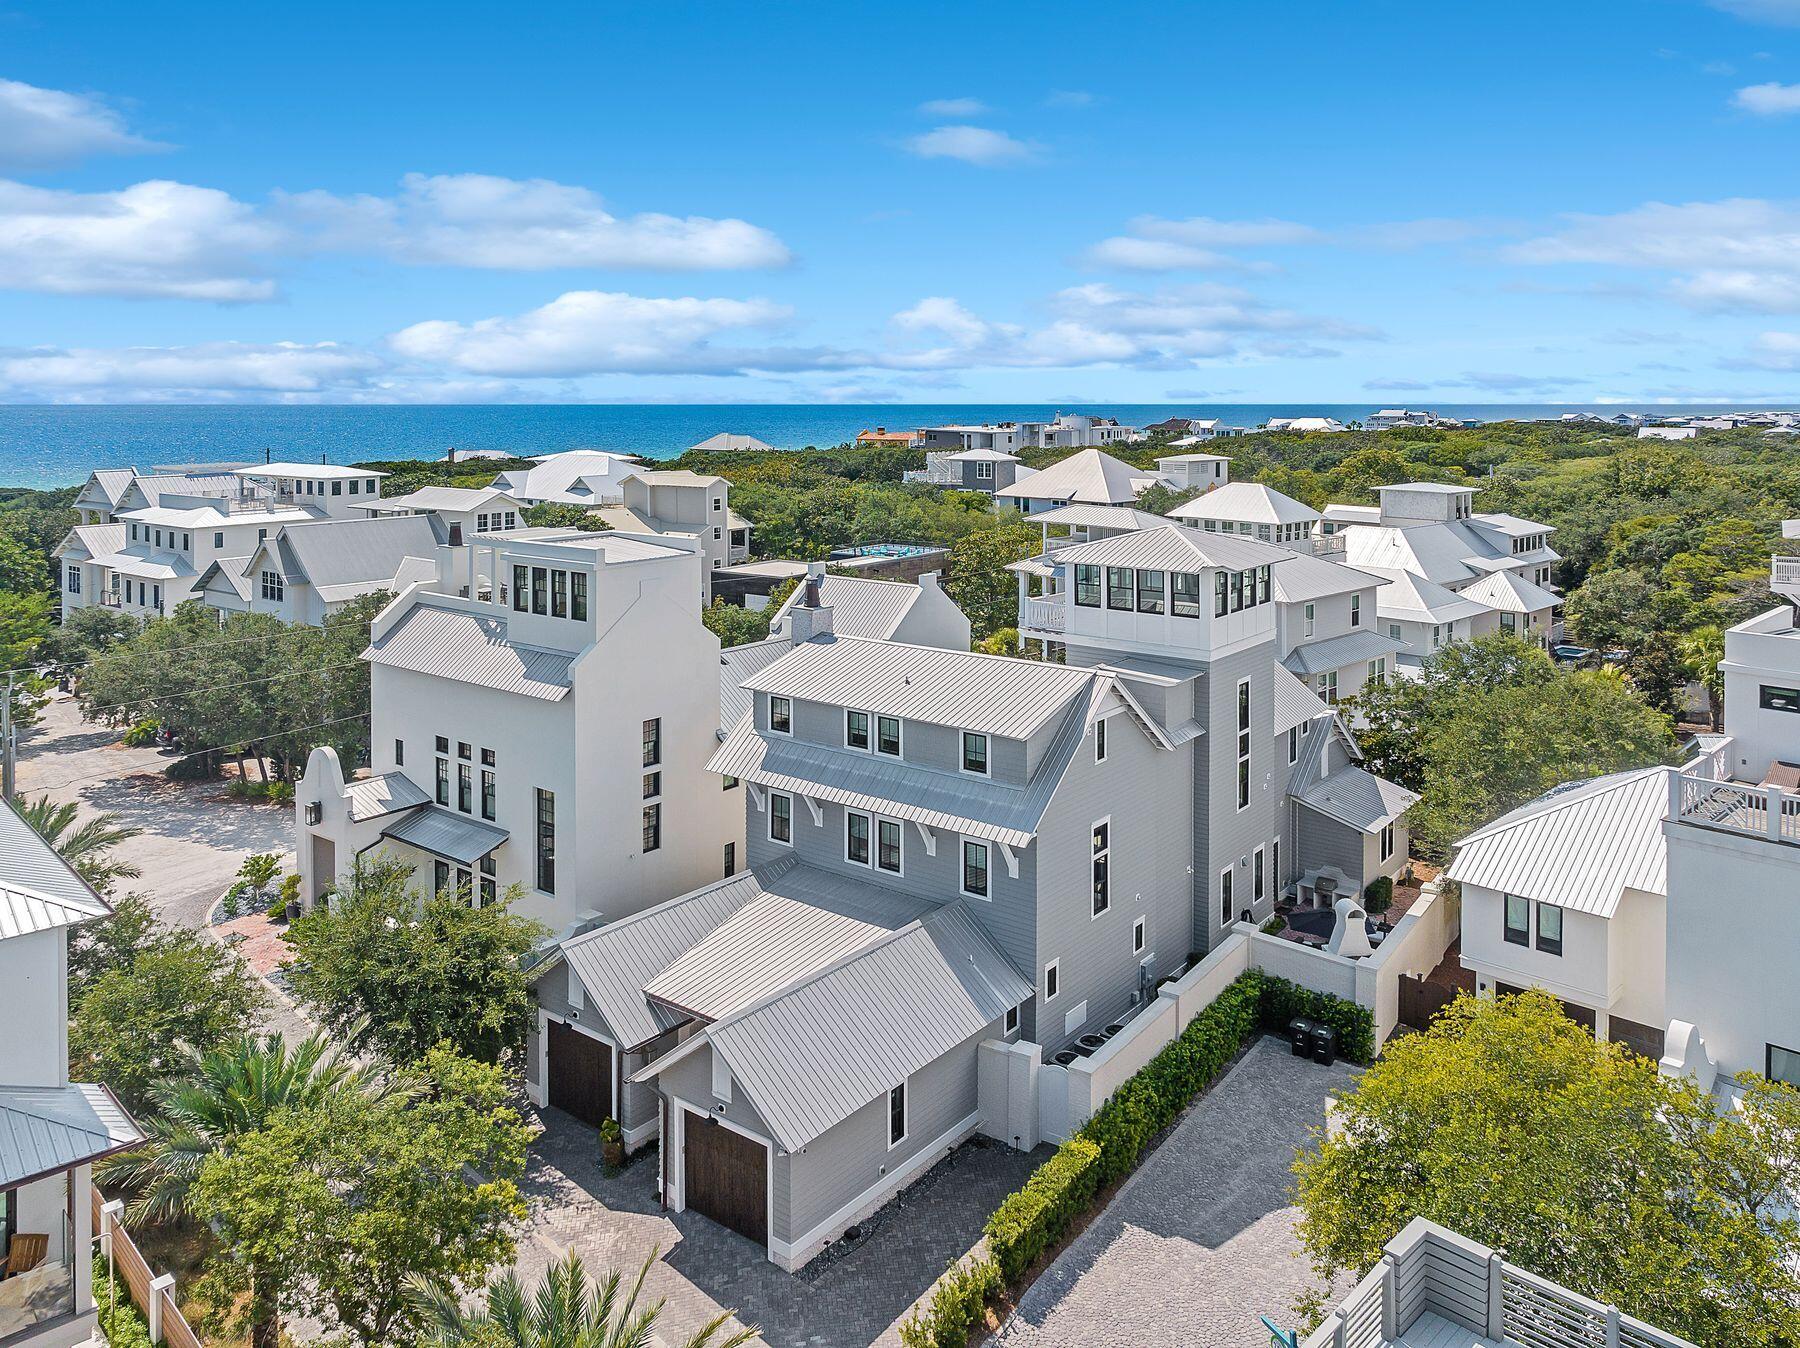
<point>1201,1239</point>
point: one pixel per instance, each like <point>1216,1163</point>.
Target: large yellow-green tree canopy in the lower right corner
<point>1509,1124</point>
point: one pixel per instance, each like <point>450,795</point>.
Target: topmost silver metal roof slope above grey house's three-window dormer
<point>989,694</point>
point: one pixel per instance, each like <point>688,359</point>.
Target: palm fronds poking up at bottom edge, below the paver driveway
<point>566,1311</point>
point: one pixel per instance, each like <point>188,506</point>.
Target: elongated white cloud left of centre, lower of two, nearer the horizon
<point>591,332</point>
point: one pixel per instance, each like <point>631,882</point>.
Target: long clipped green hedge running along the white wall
<point>1110,1146</point>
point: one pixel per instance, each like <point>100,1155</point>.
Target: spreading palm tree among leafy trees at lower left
<point>217,1099</point>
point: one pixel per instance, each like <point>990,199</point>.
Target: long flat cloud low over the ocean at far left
<point>186,372</point>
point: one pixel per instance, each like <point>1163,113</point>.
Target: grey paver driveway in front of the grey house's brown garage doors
<point>847,1299</point>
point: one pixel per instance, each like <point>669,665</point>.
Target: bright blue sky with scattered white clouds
<point>1309,201</point>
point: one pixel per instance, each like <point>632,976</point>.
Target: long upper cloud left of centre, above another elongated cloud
<point>481,220</point>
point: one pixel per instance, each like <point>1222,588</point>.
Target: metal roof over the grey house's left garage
<point>618,960</point>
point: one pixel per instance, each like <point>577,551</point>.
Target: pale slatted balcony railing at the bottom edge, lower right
<point>1430,1279</point>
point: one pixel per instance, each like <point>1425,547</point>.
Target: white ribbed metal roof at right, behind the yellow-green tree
<point>1581,847</point>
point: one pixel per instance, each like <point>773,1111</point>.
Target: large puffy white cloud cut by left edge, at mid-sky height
<point>150,240</point>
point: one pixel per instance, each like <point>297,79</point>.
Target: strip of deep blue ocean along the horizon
<point>44,447</point>
